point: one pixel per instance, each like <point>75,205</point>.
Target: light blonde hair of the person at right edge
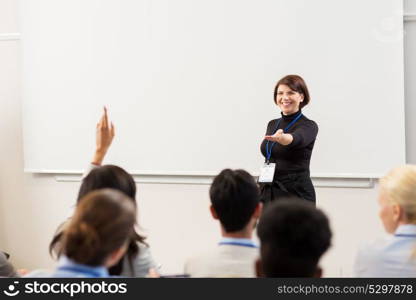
<point>400,188</point>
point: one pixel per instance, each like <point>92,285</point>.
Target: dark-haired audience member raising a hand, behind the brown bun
<point>138,260</point>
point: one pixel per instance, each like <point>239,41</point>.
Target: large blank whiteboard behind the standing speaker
<point>189,84</point>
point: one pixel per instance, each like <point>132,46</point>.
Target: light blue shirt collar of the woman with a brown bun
<point>69,268</point>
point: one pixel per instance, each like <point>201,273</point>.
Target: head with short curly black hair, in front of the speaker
<point>293,236</point>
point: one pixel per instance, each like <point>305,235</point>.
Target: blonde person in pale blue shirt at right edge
<point>394,255</point>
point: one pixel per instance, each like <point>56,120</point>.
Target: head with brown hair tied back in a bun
<point>100,229</point>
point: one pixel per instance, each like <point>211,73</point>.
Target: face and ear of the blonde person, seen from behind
<point>389,212</point>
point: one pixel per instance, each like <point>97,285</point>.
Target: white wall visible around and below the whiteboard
<point>175,217</point>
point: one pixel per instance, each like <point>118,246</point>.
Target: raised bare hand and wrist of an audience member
<point>104,137</point>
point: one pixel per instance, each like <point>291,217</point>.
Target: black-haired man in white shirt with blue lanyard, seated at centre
<point>235,202</point>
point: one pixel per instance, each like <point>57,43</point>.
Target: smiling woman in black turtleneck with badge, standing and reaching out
<point>287,146</point>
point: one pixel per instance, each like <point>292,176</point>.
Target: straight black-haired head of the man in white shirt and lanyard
<point>235,198</point>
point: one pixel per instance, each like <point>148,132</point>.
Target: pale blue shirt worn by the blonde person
<point>393,256</point>
